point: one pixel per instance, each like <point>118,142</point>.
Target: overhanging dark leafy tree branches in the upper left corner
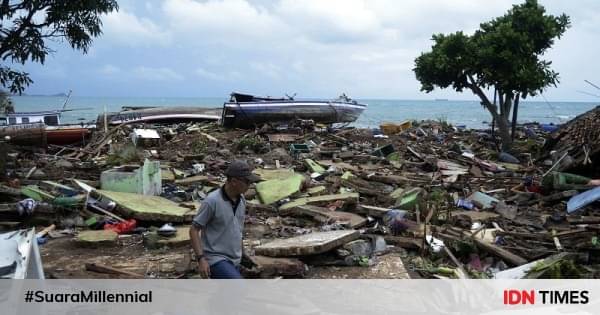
<point>27,25</point>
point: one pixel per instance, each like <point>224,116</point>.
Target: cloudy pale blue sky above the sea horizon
<point>316,48</point>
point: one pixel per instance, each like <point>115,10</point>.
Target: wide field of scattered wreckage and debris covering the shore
<point>343,197</point>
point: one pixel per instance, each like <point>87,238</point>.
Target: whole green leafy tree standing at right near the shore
<point>503,56</point>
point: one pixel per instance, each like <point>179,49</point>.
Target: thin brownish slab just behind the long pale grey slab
<point>325,216</point>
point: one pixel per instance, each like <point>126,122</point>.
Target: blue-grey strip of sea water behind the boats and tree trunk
<point>468,113</point>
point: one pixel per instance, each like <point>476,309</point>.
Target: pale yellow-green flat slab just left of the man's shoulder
<point>149,208</point>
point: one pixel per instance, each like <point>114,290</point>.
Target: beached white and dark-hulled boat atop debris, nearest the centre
<point>247,111</point>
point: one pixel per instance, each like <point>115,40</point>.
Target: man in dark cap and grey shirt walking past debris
<point>216,231</point>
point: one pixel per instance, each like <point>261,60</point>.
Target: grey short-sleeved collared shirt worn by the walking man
<point>221,227</point>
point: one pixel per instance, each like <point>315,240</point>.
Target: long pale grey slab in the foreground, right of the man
<point>308,244</point>
